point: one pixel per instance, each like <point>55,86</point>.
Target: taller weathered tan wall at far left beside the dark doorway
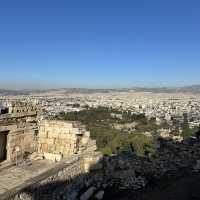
<point>20,125</point>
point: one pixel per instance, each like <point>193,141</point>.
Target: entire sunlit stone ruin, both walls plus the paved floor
<point>33,150</point>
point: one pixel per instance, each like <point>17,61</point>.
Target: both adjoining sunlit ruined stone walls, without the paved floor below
<point>54,140</point>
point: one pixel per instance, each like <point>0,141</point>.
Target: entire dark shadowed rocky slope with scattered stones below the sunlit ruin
<point>173,173</point>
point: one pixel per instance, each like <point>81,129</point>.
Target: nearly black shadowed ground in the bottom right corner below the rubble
<point>185,188</point>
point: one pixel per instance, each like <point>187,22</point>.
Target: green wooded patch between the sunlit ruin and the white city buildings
<point>99,121</point>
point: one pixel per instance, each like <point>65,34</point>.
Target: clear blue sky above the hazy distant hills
<point>99,43</point>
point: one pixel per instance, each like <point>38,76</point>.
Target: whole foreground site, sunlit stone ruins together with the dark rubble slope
<point>46,159</point>
